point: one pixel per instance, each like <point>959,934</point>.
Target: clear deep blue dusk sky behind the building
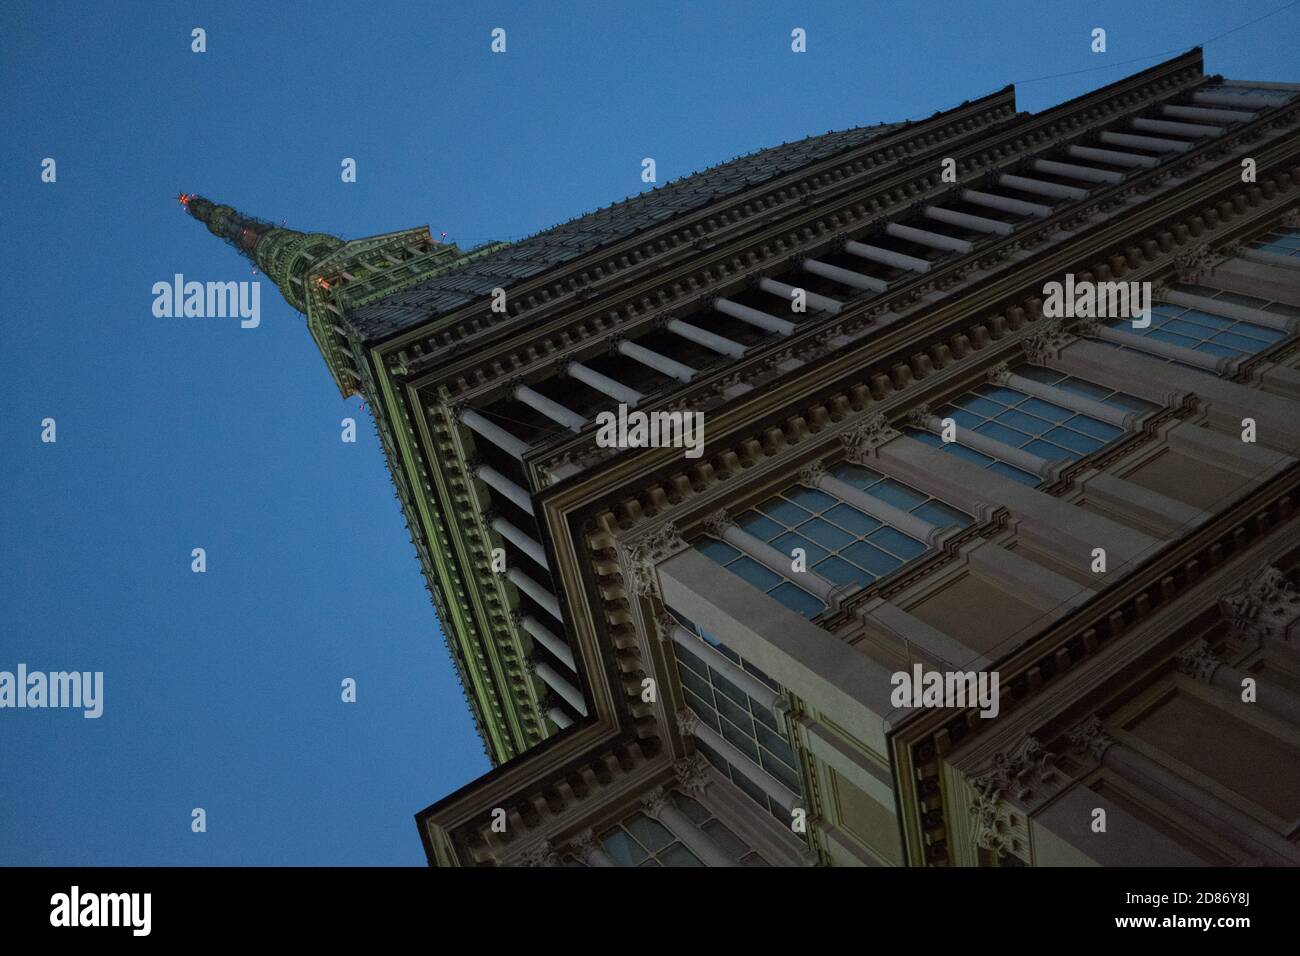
<point>223,690</point>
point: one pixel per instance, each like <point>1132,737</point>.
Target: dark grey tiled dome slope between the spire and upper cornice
<point>613,224</point>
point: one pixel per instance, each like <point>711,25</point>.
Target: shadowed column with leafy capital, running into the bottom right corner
<point>1214,814</point>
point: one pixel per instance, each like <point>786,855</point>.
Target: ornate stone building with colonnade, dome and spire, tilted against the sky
<point>916,464</point>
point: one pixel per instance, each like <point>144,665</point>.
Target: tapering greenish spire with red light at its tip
<point>284,256</point>
